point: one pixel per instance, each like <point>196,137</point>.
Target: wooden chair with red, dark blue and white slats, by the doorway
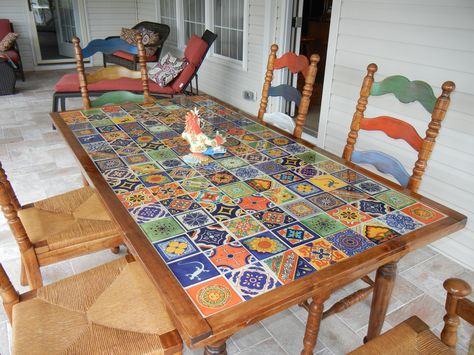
<point>296,64</point>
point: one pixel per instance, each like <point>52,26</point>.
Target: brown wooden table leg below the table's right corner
<point>384,282</point>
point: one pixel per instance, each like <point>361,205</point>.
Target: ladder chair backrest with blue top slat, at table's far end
<point>108,46</point>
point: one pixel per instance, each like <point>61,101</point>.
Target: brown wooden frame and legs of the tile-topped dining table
<point>212,332</point>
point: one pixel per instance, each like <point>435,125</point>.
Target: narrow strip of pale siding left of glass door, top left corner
<point>17,12</point>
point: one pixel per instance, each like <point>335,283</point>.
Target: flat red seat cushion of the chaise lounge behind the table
<point>70,83</point>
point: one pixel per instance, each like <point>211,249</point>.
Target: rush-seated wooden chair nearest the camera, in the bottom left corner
<point>111,309</point>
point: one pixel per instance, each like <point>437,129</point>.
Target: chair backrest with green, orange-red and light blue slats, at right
<point>405,91</point>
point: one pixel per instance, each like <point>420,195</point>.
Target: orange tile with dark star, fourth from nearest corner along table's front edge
<point>320,253</point>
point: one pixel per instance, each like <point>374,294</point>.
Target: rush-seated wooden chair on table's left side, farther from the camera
<point>57,228</point>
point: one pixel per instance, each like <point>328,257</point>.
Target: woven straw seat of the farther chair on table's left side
<point>64,220</point>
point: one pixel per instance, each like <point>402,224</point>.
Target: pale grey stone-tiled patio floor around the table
<point>39,164</point>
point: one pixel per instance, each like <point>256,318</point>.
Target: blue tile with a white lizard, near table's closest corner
<point>194,269</point>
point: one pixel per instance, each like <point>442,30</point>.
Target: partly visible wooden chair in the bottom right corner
<point>413,336</point>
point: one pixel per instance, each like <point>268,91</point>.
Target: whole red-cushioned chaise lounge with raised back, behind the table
<point>195,52</point>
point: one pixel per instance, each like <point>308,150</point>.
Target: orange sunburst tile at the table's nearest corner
<point>213,296</point>
